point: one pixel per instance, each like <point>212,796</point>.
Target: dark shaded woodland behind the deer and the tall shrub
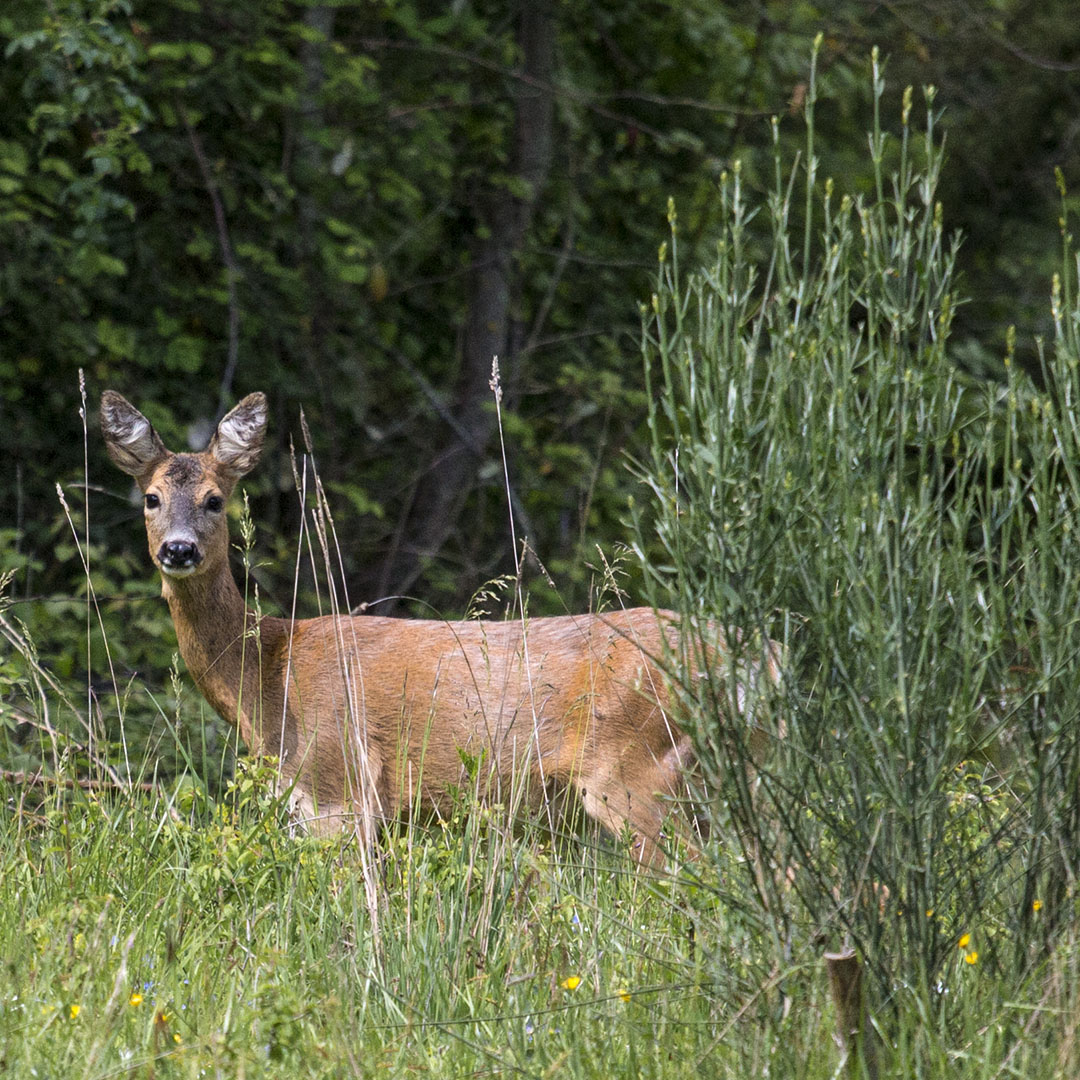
<point>354,207</point>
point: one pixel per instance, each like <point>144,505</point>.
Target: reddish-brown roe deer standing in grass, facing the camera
<point>372,718</point>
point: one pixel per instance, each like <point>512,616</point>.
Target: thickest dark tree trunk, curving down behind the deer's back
<point>494,286</point>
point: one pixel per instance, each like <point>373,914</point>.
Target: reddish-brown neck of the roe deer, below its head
<point>225,646</point>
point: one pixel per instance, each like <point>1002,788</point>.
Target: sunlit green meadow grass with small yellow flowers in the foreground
<point>183,936</point>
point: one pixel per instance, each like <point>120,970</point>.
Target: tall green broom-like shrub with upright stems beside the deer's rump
<point>821,472</point>
